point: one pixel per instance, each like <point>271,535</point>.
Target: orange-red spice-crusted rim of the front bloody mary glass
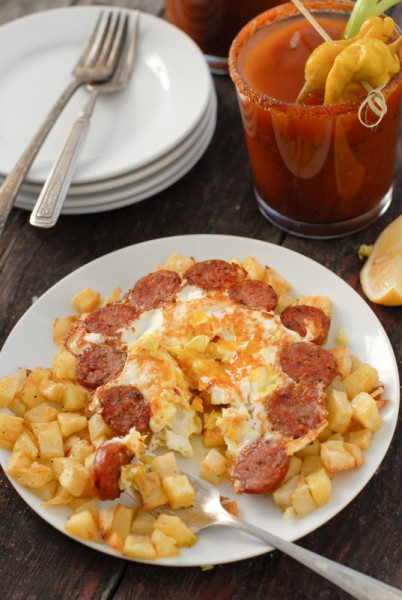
<point>275,15</point>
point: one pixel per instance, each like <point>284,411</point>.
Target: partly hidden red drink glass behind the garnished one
<point>213,24</point>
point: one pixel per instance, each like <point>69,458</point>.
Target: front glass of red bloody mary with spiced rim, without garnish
<point>317,170</point>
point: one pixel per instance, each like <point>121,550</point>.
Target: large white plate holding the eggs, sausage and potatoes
<point>367,340</point>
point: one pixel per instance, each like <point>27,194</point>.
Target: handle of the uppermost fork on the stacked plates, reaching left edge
<point>14,180</point>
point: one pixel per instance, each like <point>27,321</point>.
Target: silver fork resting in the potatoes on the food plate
<point>208,510</point>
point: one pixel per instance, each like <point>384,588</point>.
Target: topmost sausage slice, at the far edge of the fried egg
<point>214,274</point>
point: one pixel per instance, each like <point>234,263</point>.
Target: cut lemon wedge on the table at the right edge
<point>381,276</point>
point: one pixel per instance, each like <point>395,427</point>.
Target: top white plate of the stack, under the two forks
<point>167,94</point>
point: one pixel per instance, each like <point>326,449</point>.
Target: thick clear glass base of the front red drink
<point>324,230</point>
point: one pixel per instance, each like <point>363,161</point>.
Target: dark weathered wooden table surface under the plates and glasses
<point>38,562</point>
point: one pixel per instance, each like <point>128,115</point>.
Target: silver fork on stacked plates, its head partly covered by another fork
<point>49,204</point>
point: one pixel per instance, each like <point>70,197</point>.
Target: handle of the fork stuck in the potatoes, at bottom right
<point>357,584</point>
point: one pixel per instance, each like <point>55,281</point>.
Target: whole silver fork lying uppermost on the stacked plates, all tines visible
<point>96,63</point>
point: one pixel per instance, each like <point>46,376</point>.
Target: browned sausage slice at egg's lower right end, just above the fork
<point>260,467</point>
